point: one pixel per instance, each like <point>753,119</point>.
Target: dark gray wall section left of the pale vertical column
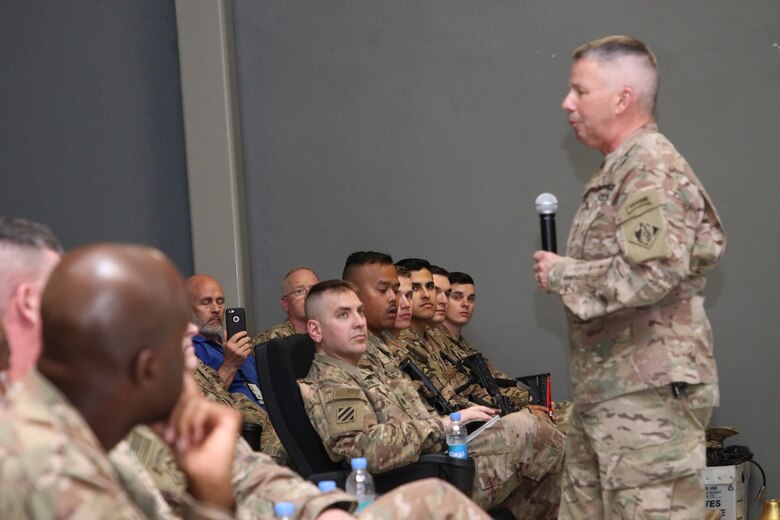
<point>91,124</point>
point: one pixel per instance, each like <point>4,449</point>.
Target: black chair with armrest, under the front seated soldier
<point>280,363</point>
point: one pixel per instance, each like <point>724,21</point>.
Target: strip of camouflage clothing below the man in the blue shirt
<point>211,384</point>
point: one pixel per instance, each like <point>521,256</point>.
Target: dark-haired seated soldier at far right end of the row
<point>454,347</point>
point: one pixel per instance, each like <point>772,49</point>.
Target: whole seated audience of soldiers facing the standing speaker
<point>98,420</point>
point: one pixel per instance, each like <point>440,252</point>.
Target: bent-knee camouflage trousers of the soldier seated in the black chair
<point>518,466</point>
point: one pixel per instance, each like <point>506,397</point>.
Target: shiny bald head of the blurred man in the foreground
<point>113,321</point>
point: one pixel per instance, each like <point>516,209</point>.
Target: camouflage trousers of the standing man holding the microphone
<point>638,456</point>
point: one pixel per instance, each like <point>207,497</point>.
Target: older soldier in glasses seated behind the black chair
<point>295,286</point>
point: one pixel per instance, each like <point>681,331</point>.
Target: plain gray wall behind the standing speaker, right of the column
<point>425,128</point>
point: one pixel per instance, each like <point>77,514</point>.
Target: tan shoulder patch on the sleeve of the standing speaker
<point>643,226</point>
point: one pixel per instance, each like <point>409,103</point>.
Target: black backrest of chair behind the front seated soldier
<point>280,362</point>
